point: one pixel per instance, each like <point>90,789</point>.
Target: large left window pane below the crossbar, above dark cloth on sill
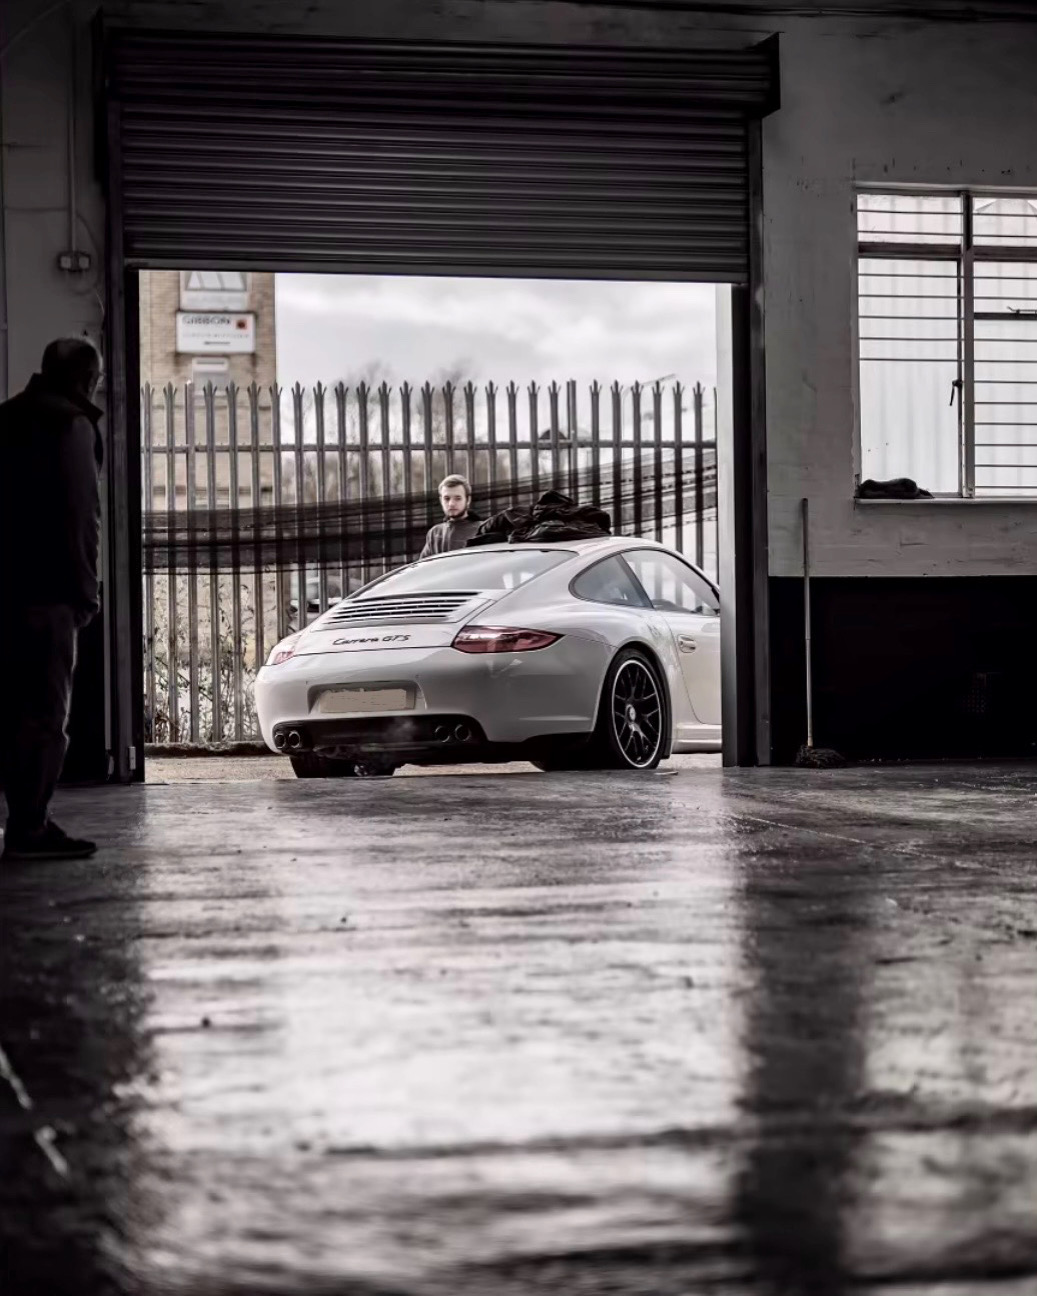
<point>909,334</point>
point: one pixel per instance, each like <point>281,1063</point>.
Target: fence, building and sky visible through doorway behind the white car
<point>295,430</point>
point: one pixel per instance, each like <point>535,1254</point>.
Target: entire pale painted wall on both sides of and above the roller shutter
<point>863,102</point>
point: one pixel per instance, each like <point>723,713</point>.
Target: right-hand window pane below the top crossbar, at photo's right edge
<point>1007,379</point>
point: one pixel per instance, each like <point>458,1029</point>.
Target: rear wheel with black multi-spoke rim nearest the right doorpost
<point>633,716</point>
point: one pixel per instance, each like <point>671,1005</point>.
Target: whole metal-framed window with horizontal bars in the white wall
<point>948,340</point>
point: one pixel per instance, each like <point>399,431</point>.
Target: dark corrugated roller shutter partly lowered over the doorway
<point>439,160</point>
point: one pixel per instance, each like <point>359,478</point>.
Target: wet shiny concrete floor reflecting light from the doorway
<point>688,1032</point>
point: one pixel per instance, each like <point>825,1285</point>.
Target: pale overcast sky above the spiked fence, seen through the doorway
<point>334,327</point>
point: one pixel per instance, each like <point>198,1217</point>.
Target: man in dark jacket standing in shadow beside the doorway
<point>50,526</point>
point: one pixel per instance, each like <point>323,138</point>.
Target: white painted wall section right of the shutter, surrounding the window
<point>942,104</point>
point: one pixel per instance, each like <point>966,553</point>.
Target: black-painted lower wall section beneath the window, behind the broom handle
<point>916,669</point>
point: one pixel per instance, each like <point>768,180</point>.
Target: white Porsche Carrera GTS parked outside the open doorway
<point>596,654</point>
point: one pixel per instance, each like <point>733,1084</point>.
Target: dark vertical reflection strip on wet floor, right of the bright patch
<point>807,955</point>
